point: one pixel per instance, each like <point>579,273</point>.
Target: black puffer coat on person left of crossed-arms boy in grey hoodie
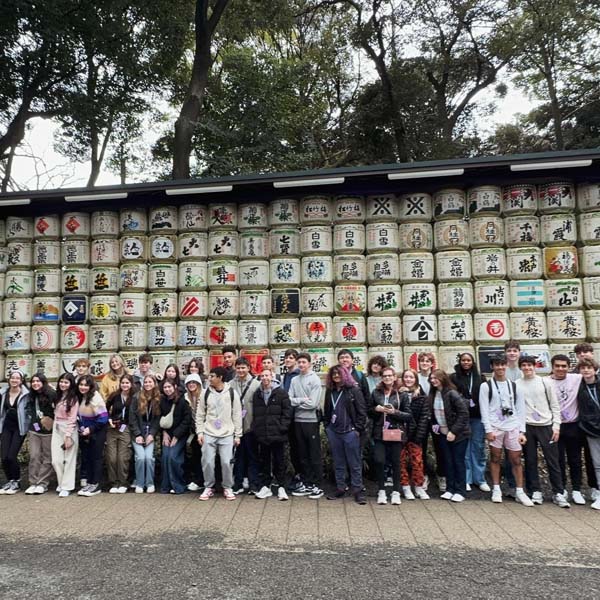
<point>271,421</point>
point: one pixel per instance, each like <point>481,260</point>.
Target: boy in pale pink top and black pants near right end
<point>570,442</point>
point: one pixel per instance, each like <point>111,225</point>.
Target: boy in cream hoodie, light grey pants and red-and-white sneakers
<point>219,427</point>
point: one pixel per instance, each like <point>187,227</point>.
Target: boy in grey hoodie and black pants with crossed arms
<point>305,397</point>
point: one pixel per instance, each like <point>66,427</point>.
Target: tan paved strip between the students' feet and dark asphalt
<point>301,522</point>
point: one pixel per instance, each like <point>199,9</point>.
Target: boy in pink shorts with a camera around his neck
<point>503,417</point>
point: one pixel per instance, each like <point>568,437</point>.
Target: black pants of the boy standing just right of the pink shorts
<point>541,435</point>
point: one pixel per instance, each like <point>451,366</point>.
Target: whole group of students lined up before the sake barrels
<point>252,421</point>
